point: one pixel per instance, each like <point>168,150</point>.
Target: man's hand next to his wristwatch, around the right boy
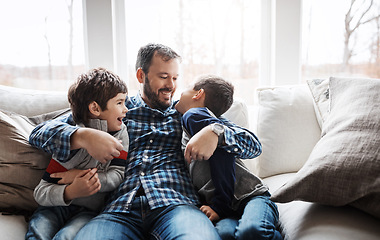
<point>202,145</point>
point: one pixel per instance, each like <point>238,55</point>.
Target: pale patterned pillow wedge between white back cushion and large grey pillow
<point>319,88</point>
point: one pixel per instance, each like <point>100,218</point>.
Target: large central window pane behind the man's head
<point>213,37</point>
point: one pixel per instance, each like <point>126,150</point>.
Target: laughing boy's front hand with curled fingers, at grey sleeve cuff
<point>84,185</point>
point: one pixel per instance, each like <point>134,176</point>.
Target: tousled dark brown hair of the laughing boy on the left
<point>99,85</point>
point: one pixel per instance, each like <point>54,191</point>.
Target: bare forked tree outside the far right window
<point>357,15</point>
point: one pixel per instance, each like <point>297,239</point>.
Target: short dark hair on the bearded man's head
<point>146,53</point>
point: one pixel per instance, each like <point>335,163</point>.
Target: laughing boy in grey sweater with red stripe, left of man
<point>97,100</point>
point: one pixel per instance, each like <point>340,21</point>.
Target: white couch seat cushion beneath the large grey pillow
<point>312,221</point>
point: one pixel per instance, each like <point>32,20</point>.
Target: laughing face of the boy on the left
<point>115,112</point>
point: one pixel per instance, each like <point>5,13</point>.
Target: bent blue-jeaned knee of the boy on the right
<point>259,219</point>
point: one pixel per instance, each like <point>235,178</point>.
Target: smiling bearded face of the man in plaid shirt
<point>160,83</point>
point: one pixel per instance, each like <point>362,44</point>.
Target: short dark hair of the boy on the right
<point>219,93</point>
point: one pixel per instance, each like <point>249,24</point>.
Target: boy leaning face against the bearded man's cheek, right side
<point>226,195</point>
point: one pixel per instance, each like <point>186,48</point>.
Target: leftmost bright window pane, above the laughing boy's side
<point>37,48</point>
